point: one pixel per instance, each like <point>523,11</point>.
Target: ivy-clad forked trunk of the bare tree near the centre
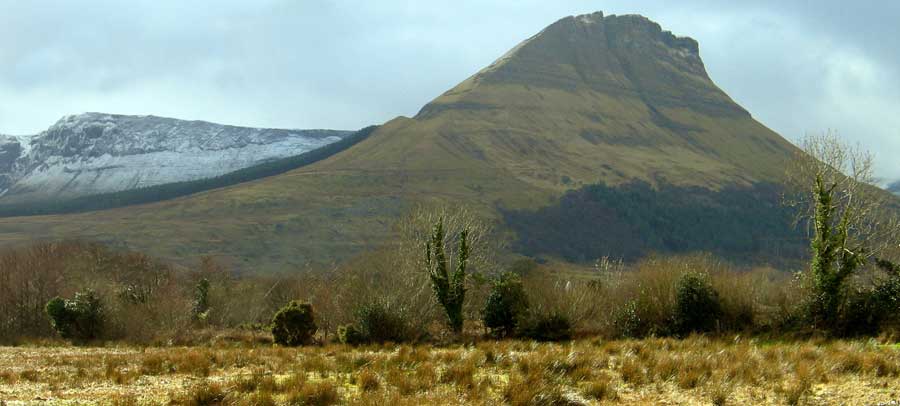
<point>449,288</point>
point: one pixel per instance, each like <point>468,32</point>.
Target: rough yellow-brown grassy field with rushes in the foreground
<point>696,370</point>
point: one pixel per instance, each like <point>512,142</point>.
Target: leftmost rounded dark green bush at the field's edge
<point>78,319</point>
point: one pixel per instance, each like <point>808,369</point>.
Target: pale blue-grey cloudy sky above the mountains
<point>799,66</point>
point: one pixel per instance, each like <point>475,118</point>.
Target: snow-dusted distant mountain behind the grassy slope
<point>95,153</point>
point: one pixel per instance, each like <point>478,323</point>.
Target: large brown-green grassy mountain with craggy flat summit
<point>589,100</point>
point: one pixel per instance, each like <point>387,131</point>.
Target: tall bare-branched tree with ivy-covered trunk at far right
<point>851,219</point>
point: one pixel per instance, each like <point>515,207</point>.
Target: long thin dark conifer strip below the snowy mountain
<point>172,190</point>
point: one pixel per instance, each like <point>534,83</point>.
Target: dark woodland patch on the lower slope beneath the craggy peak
<point>743,224</point>
